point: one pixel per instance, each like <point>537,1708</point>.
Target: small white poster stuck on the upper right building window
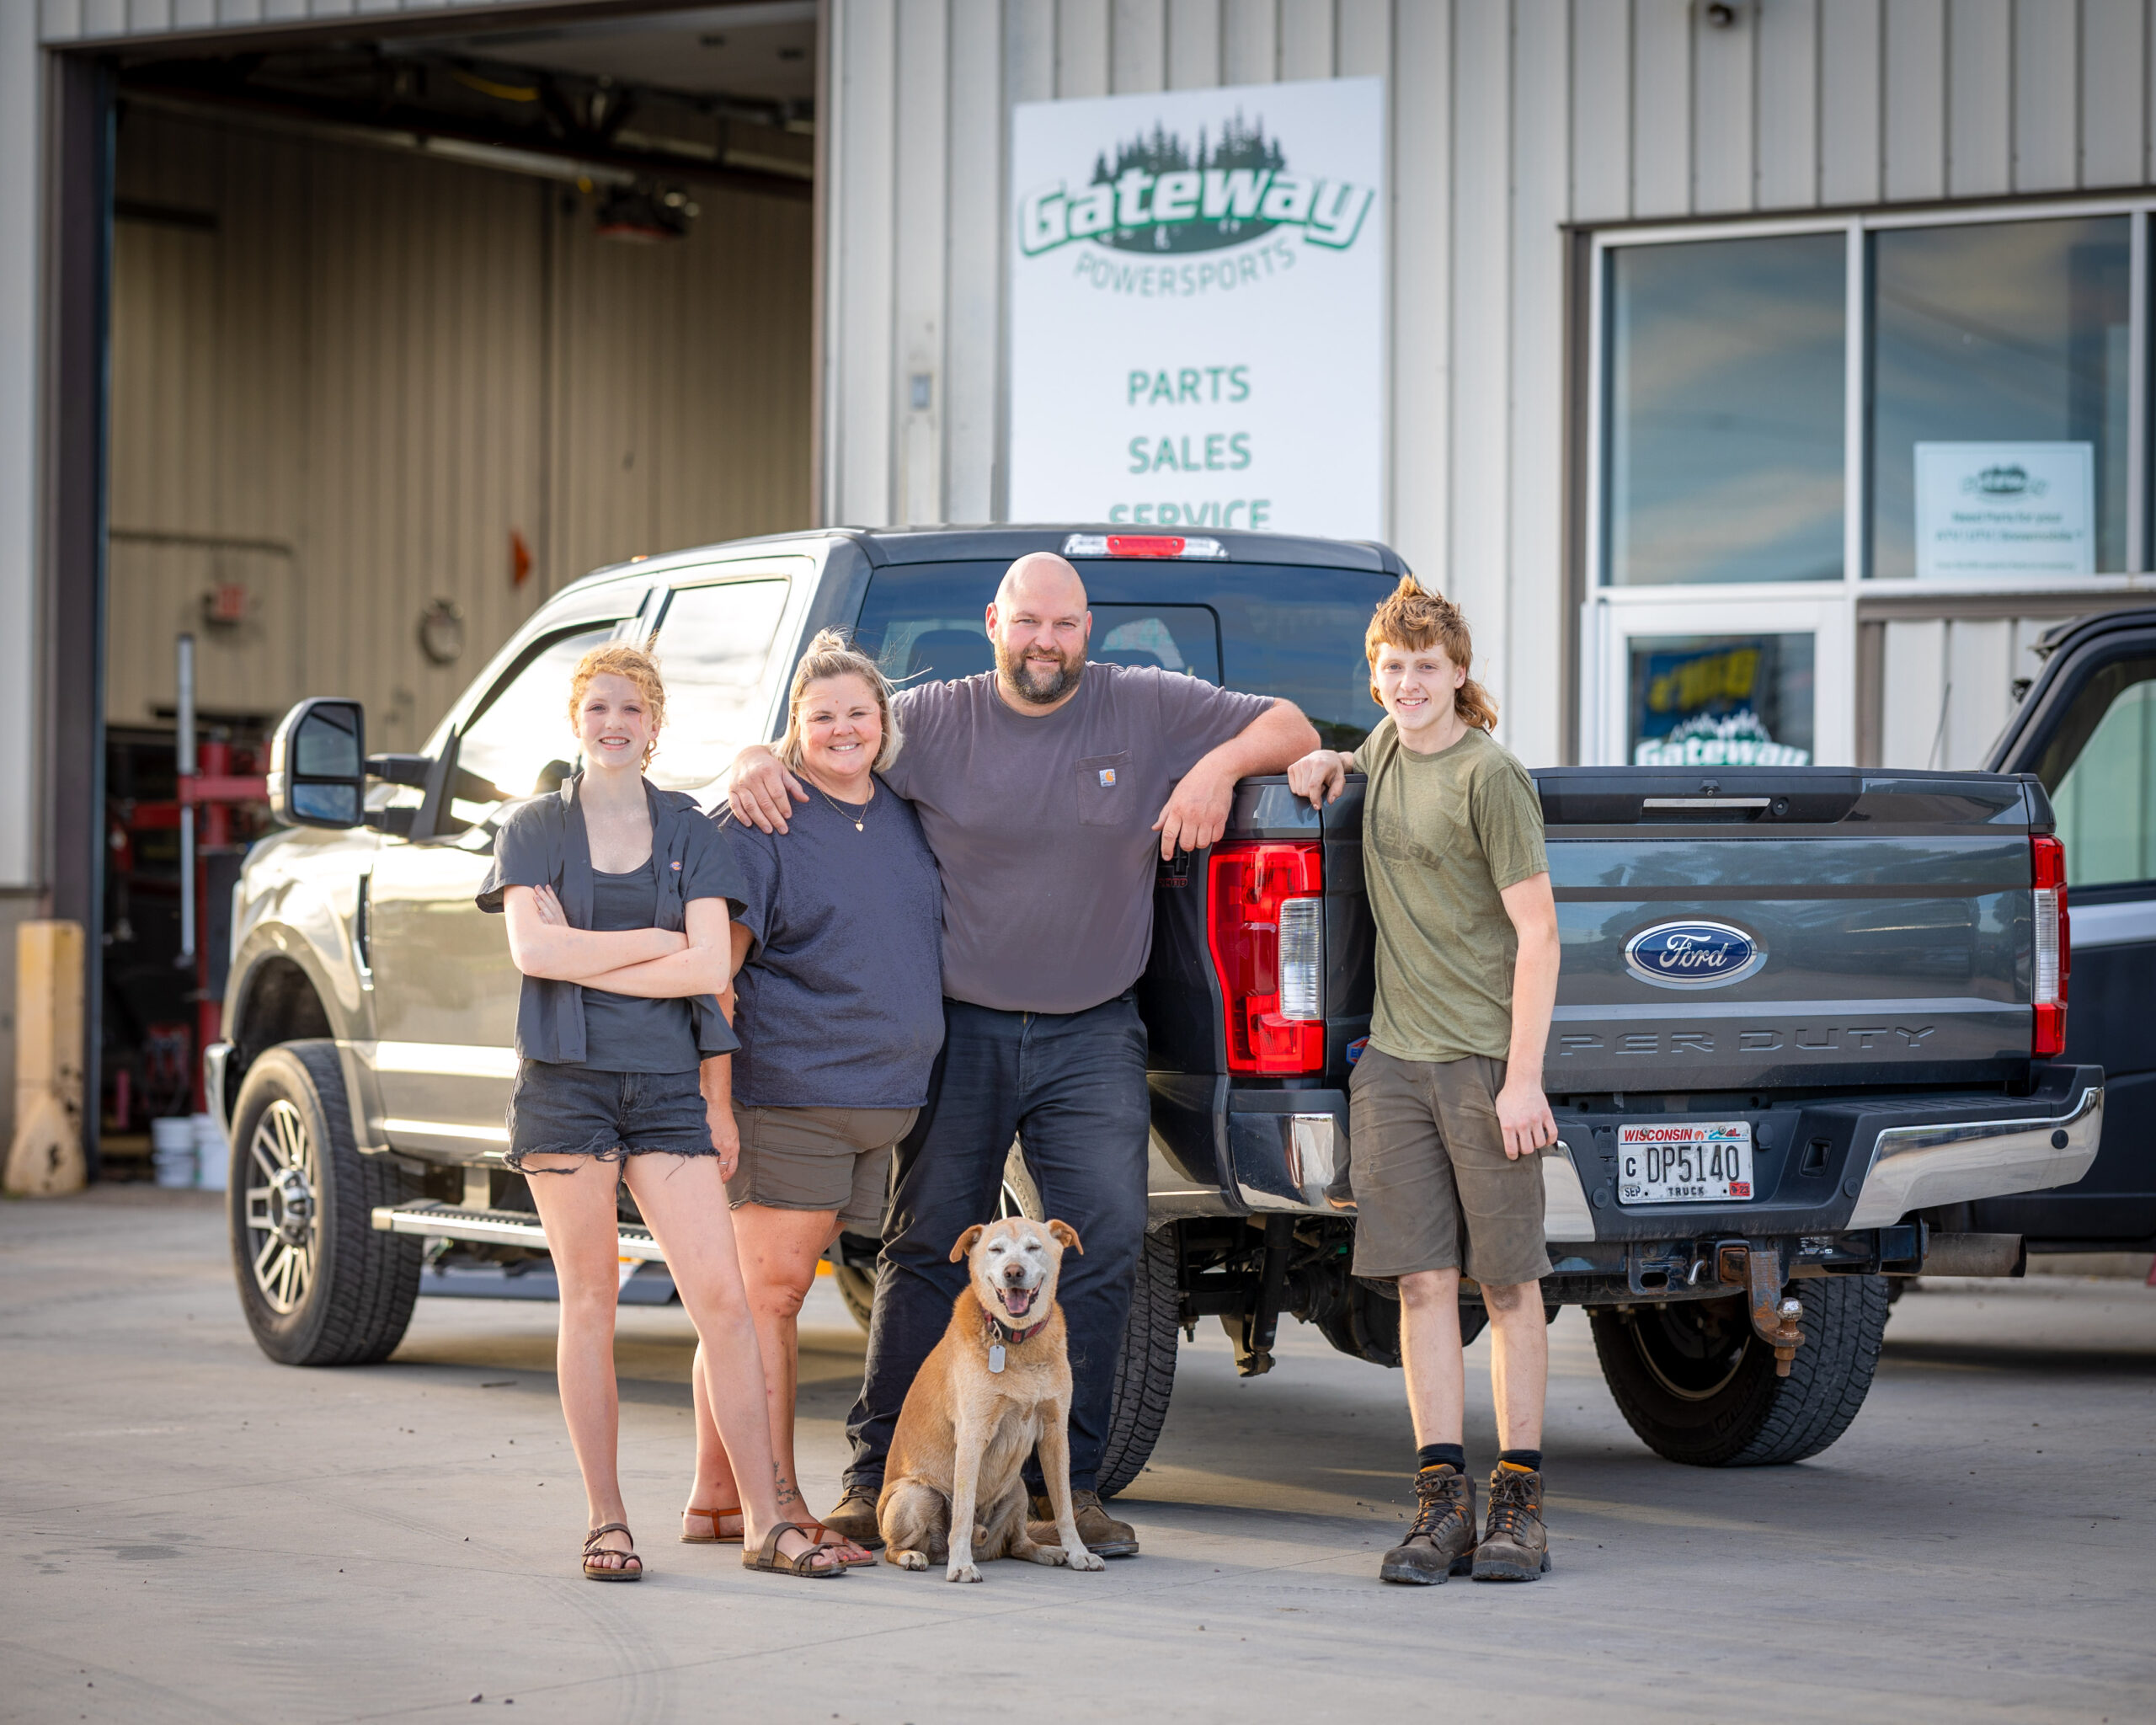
<point>2006,510</point>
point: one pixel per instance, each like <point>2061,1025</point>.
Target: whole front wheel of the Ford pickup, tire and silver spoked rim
<point>316,1282</point>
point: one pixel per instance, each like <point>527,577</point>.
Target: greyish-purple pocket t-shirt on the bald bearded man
<point>1042,827</point>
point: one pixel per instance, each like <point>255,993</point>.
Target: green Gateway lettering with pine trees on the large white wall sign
<point>1161,195</point>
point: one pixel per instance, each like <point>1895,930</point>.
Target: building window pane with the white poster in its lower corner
<point>2000,361</point>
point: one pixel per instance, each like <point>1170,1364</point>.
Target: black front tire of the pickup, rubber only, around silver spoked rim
<point>361,1291</point>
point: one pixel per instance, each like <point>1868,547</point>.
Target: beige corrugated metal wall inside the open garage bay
<point>378,365</point>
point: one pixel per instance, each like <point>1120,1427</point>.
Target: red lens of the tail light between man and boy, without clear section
<point>1245,887</point>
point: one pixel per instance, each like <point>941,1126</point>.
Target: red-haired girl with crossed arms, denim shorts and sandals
<point>618,900</point>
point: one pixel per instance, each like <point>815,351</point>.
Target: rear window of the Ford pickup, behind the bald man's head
<point>1264,629</point>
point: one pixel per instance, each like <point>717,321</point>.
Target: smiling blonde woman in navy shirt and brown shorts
<point>840,1019</point>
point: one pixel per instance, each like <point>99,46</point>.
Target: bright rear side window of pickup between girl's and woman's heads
<point>713,648</point>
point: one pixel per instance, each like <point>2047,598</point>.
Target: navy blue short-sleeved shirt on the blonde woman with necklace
<point>840,1004</point>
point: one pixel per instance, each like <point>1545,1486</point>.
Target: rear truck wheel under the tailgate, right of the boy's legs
<point>1700,1388</point>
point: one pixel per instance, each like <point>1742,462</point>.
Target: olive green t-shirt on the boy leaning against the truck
<point>1443,836</point>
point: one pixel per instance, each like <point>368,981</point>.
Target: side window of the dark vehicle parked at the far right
<point>2101,773</point>
